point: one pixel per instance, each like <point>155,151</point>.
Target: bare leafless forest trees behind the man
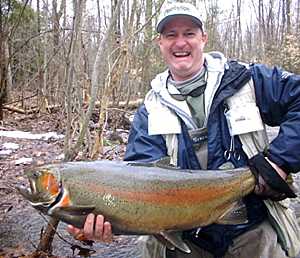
<point>75,56</point>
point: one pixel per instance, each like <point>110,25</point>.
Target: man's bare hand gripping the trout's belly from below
<point>95,228</point>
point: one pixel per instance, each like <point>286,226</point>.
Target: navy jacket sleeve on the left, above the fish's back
<point>141,146</point>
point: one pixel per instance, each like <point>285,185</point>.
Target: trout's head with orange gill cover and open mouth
<point>43,187</point>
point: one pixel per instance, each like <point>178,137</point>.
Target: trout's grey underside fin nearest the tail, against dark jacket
<point>237,214</point>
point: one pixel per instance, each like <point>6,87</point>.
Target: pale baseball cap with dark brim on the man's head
<point>175,9</point>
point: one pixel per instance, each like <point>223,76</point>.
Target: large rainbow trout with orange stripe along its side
<point>137,198</point>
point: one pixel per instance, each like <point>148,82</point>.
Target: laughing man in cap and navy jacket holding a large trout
<point>195,114</point>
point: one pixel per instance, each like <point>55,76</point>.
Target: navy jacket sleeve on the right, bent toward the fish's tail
<point>278,98</point>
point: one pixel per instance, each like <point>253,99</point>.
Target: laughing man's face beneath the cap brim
<point>181,44</point>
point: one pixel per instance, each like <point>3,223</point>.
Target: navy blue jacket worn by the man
<point>278,98</point>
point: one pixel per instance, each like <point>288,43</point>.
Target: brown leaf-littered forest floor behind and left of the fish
<point>31,153</point>
